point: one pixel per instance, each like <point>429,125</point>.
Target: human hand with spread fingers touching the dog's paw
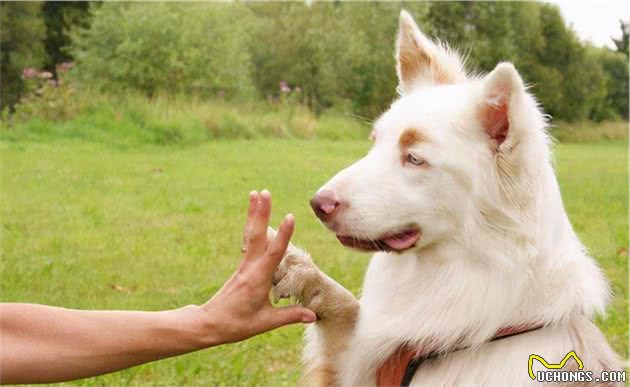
<point>242,308</point>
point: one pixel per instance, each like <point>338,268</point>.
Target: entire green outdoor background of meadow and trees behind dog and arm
<point>132,133</point>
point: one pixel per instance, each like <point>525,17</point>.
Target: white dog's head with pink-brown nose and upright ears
<point>445,155</point>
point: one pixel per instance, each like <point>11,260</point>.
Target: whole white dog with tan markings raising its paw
<point>477,266</point>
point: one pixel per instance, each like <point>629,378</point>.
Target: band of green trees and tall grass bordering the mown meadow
<point>313,64</point>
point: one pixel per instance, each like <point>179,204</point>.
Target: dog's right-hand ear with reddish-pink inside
<point>502,88</point>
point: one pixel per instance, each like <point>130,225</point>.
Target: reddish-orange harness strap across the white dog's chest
<point>400,367</point>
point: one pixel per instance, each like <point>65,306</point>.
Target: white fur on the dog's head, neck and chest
<point>497,248</point>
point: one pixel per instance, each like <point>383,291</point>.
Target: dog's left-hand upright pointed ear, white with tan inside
<point>422,62</point>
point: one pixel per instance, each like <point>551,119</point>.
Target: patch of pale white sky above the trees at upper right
<point>595,20</point>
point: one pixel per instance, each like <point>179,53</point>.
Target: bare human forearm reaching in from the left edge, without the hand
<point>56,344</point>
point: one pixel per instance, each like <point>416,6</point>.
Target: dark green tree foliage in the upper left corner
<point>20,45</point>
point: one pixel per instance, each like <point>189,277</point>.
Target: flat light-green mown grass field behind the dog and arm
<point>87,225</point>
